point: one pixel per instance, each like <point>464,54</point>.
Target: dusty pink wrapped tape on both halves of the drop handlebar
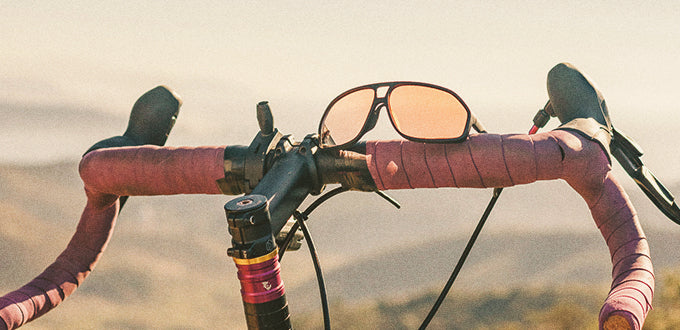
<point>485,160</point>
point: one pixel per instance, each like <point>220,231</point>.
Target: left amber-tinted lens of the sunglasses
<point>346,117</point>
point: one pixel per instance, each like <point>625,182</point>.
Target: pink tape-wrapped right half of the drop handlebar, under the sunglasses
<point>490,160</point>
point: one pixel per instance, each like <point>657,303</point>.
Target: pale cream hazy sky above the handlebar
<point>222,57</point>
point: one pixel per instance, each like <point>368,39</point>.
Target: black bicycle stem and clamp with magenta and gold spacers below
<point>277,174</point>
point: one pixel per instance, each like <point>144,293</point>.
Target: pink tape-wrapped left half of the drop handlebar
<point>108,174</point>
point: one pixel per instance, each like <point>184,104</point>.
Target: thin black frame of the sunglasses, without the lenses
<point>382,102</point>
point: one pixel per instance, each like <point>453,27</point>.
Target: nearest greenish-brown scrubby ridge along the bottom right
<point>564,307</point>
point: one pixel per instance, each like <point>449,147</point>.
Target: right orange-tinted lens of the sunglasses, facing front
<point>424,112</point>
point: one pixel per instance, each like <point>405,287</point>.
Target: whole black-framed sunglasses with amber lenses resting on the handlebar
<point>419,112</point>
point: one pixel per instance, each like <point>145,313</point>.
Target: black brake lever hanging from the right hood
<point>627,152</point>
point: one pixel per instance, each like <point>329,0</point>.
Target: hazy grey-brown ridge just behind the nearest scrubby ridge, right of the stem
<point>498,262</point>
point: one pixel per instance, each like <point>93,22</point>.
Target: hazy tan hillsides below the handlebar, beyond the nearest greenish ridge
<point>168,254</point>
